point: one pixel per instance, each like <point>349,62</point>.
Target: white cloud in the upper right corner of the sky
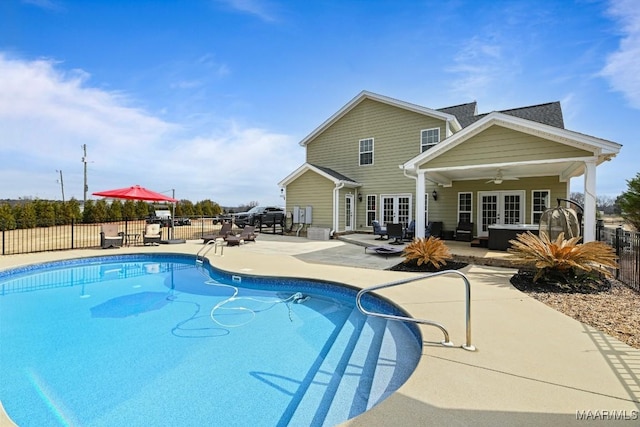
<point>623,66</point>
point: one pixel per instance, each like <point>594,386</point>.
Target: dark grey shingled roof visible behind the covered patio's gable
<point>549,113</point>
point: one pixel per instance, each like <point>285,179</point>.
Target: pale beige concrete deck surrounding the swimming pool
<point>534,366</point>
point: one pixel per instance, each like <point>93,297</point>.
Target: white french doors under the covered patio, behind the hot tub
<point>499,207</point>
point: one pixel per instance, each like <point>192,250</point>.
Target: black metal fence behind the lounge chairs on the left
<point>86,236</point>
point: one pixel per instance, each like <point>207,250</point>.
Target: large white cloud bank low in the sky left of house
<point>47,115</point>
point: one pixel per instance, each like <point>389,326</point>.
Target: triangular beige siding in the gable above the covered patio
<point>497,144</point>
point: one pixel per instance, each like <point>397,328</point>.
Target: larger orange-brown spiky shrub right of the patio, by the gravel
<point>562,260</point>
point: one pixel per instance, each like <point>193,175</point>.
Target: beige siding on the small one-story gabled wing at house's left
<point>311,189</point>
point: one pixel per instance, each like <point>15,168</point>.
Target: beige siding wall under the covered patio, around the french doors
<point>445,209</point>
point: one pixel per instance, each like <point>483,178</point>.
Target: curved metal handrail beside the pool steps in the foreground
<point>447,342</point>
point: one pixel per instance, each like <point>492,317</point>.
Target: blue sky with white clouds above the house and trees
<point>209,99</point>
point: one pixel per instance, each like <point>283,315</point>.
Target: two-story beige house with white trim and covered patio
<point>385,159</point>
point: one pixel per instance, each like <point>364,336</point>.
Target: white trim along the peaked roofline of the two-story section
<point>455,125</point>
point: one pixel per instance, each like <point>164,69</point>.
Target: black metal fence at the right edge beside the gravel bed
<point>627,246</point>
